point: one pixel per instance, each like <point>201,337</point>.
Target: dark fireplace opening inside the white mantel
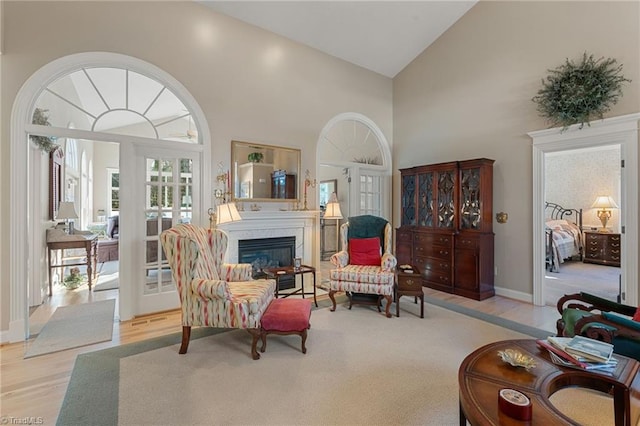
<point>264,253</point>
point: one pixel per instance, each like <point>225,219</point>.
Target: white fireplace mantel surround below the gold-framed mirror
<point>300,224</point>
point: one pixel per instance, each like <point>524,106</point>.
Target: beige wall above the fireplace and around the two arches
<point>251,85</point>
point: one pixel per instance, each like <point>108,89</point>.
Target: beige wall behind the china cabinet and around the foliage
<point>469,95</point>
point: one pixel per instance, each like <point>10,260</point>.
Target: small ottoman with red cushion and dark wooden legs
<point>286,316</point>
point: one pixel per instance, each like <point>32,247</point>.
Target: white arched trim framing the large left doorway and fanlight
<point>20,261</point>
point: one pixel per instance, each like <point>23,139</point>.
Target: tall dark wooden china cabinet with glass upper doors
<point>447,226</point>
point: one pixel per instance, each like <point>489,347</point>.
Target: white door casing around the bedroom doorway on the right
<point>623,131</point>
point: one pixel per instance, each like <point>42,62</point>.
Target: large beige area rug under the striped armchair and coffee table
<point>360,368</point>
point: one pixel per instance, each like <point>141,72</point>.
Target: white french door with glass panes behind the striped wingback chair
<point>168,193</point>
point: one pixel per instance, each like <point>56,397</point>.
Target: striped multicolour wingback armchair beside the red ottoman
<point>213,293</point>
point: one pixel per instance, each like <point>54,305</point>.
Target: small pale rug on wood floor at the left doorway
<point>74,326</point>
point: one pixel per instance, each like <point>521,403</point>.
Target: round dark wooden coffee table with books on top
<point>482,374</point>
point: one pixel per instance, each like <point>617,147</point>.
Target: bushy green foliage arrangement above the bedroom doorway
<point>579,92</point>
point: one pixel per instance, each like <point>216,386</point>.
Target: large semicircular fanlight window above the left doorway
<point>116,100</point>
